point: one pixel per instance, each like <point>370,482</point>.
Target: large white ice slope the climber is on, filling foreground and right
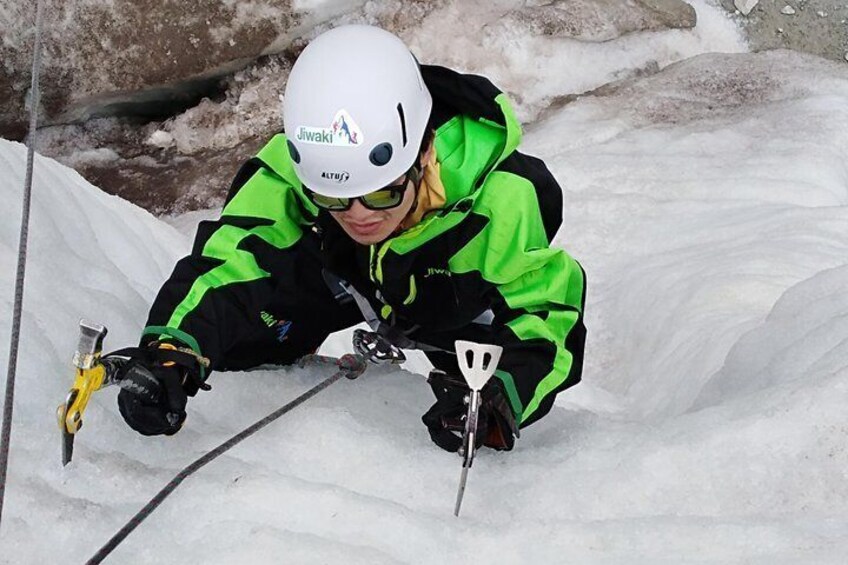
<point>709,205</point>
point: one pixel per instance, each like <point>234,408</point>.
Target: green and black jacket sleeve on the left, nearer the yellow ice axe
<point>214,295</point>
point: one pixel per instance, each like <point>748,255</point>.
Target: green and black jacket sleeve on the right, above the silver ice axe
<point>537,294</point>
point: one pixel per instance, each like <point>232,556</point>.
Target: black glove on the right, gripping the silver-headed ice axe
<point>445,420</point>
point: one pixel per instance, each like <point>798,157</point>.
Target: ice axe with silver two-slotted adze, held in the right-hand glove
<point>477,363</point>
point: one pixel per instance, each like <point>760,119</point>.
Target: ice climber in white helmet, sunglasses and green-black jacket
<point>402,184</point>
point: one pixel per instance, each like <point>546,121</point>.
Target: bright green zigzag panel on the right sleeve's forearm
<point>555,329</point>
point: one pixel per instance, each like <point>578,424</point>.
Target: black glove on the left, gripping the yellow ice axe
<point>155,390</point>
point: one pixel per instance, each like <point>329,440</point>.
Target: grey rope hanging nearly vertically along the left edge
<point>5,435</point>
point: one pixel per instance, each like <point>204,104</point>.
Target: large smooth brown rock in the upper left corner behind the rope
<point>149,58</point>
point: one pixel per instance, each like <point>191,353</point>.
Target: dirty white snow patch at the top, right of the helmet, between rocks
<point>535,68</point>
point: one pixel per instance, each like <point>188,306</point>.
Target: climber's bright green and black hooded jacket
<point>486,251</point>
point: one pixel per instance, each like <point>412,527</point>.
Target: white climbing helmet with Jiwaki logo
<point>356,110</point>
